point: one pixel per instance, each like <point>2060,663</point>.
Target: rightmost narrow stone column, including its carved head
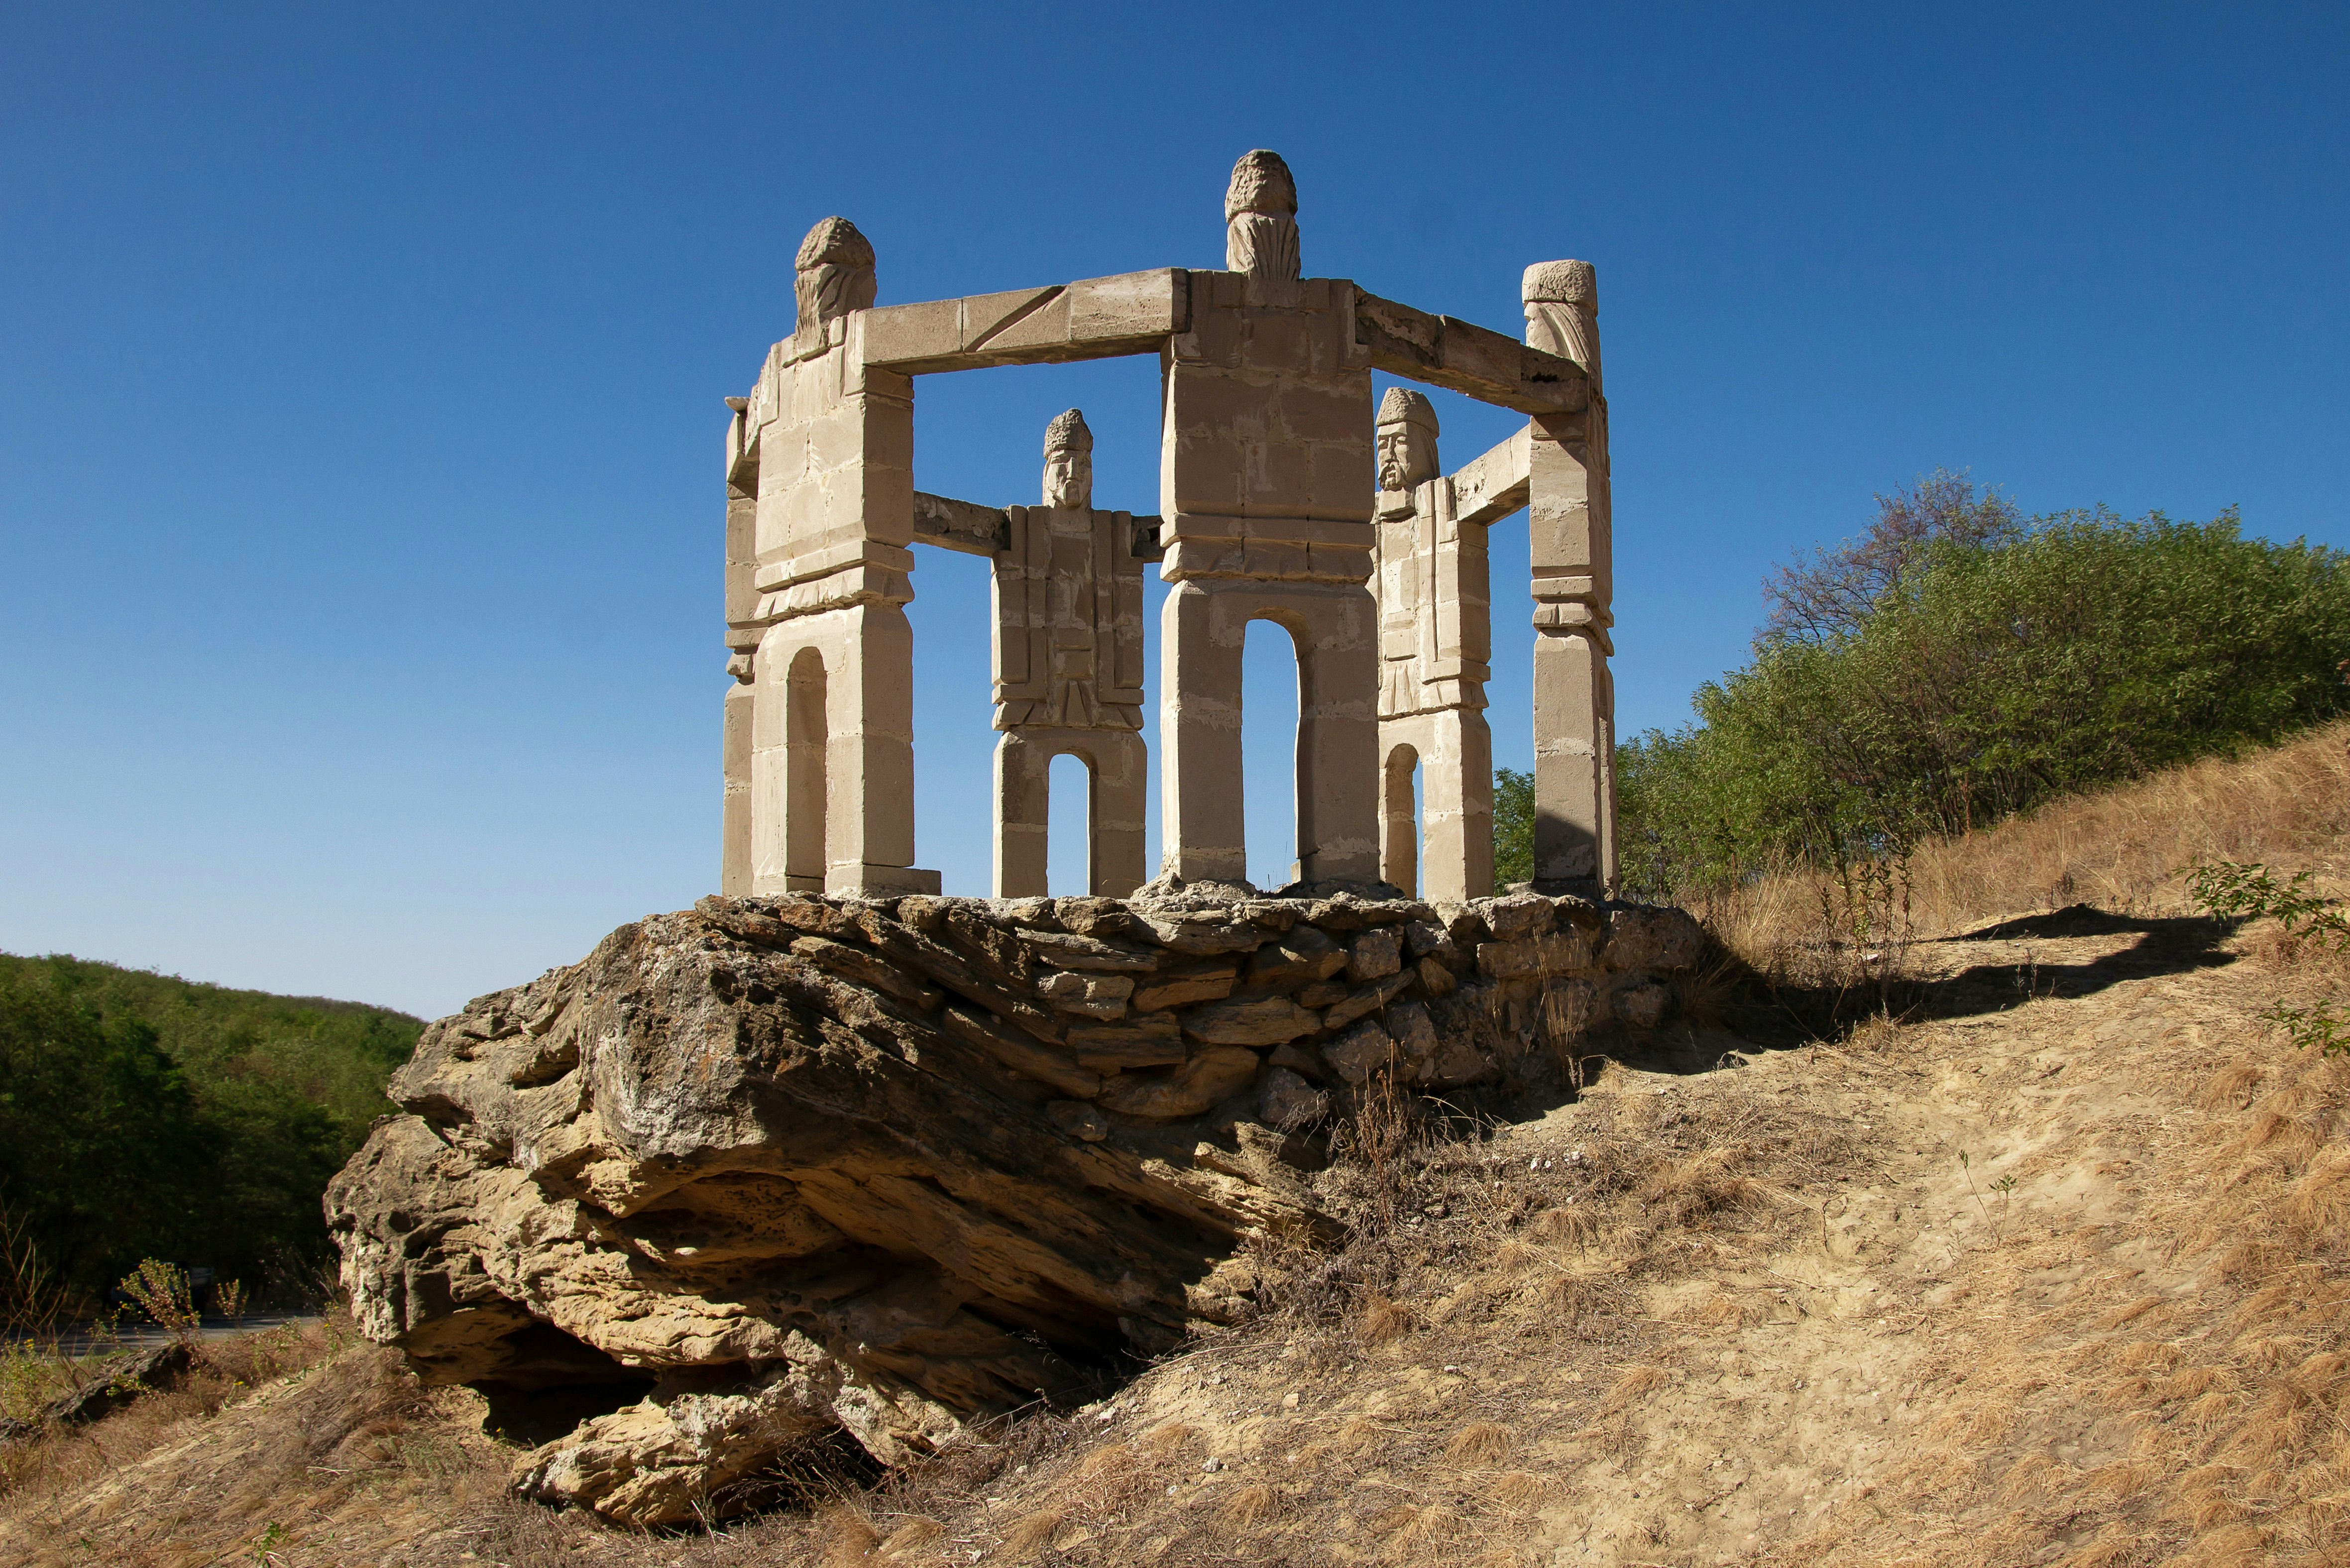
<point>1573,579</point>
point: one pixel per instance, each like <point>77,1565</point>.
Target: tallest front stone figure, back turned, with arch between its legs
<point>1265,485</point>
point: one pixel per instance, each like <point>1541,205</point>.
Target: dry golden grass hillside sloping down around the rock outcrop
<point>2041,1259</point>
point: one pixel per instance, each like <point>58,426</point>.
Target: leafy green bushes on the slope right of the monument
<point>1963,664</point>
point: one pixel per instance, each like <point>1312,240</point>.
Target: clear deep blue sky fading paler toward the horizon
<point>363,368</point>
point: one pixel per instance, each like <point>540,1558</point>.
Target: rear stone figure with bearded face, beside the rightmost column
<point>1435,659</point>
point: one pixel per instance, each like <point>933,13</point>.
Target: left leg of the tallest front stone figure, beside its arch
<point>1200,737</point>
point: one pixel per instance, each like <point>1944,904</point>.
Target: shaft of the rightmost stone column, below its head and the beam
<point>1573,723</point>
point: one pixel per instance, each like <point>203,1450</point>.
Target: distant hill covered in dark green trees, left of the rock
<point>149,1115</point>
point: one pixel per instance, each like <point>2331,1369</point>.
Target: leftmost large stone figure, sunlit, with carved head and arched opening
<point>821,514</point>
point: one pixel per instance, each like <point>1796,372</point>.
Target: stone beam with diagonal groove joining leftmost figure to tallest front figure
<point>1094,319</point>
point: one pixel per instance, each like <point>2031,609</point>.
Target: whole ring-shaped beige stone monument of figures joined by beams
<point>1273,509</point>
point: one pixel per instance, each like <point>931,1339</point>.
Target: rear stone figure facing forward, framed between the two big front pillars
<point>1068,674</point>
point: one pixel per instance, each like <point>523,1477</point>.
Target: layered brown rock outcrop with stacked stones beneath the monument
<point>788,1167</point>
